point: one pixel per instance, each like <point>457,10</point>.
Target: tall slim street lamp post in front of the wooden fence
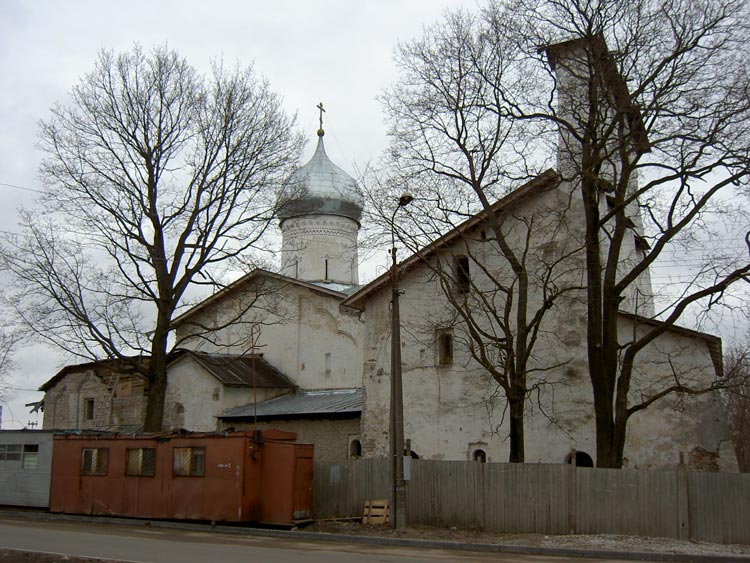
<point>398,509</point>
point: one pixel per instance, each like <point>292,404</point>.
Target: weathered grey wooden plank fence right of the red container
<point>547,498</point>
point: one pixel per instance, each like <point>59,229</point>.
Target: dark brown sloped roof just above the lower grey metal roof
<point>237,371</point>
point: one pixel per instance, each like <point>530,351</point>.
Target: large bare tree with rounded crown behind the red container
<point>155,178</point>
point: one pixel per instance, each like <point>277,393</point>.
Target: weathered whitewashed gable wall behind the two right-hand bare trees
<point>451,410</point>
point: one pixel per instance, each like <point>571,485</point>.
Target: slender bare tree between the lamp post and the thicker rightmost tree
<point>454,146</point>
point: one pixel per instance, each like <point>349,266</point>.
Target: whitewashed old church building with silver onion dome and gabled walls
<point>307,349</point>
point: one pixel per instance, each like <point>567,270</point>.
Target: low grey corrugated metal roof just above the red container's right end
<point>303,403</point>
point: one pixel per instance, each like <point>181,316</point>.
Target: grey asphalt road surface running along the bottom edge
<point>157,545</point>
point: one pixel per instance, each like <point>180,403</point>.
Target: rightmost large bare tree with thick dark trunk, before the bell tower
<point>651,100</point>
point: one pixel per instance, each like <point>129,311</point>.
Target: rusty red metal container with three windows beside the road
<point>262,477</point>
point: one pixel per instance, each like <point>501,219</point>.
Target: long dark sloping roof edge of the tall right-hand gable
<point>541,183</point>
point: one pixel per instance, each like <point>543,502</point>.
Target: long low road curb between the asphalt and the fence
<point>379,540</point>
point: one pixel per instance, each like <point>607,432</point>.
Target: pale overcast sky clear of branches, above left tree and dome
<point>335,51</point>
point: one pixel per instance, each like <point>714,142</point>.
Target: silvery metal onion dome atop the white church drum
<point>321,188</point>
